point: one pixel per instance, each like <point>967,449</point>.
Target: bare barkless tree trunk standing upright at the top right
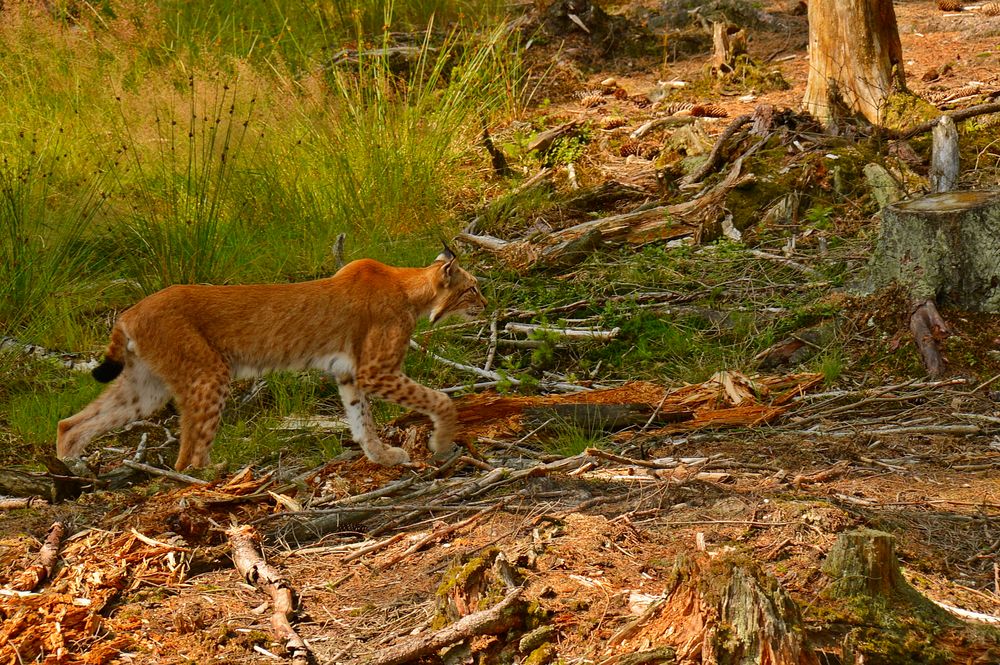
<point>855,59</point>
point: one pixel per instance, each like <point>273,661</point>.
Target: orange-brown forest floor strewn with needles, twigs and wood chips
<point>772,466</point>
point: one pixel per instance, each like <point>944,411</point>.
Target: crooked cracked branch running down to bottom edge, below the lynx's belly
<point>251,565</point>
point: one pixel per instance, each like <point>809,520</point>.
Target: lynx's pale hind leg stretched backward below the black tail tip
<point>135,394</point>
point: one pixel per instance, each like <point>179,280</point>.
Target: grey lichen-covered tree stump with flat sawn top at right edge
<point>943,247</point>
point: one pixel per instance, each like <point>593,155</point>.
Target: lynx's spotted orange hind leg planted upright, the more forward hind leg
<point>201,403</point>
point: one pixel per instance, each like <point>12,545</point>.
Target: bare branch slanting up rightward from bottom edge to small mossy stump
<point>501,617</point>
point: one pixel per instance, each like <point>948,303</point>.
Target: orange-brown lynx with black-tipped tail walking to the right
<point>189,342</point>
